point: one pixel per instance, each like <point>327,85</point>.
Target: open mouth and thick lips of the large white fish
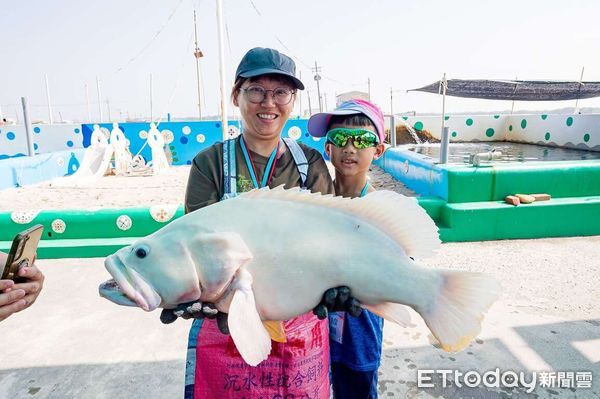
<point>128,287</point>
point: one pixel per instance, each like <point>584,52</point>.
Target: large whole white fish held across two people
<point>268,255</point>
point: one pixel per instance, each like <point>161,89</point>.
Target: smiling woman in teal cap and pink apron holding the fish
<point>265,92</point>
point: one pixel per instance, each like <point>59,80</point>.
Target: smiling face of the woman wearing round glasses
<point>265,120</point>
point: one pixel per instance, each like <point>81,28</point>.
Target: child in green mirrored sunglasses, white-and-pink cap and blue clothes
<point>355,134</point>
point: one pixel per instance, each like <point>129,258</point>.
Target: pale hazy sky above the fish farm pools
<point>394,44</point>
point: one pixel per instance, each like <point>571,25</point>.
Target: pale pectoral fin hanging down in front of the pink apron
<point>245,326</point>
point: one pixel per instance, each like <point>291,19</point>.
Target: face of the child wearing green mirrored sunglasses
<point>349,161</point>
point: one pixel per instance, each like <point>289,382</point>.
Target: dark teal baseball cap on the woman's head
<point>262,61</point>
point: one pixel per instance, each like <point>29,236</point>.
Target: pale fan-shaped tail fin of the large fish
<point>454,315</point>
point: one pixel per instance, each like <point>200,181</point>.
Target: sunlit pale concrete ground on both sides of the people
<point>73,344</point>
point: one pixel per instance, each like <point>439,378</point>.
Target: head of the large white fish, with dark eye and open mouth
<point>174,266</point>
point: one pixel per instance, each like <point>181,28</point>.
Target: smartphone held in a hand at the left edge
<point>22,252</point>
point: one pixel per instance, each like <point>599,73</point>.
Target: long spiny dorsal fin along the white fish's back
<point>397,215</point>
